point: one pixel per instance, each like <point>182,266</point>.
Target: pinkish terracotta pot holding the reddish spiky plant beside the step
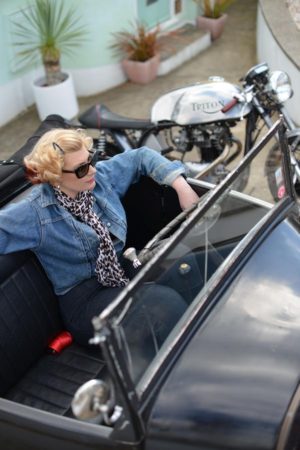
<point>141,72</point>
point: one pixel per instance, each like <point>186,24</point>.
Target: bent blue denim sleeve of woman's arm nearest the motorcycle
<point>126,168</point>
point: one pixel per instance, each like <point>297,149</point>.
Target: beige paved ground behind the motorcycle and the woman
<point>230,56</point>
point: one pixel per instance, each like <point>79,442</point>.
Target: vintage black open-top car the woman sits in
<point>227,375</point>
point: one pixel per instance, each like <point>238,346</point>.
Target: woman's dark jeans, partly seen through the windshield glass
<point>154,312</point>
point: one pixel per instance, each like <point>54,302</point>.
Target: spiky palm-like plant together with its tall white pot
<point>47,30</point>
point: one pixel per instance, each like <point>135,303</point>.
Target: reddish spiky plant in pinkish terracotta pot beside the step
<point>140,52</point>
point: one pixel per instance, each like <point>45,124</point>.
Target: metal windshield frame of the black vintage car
<point>106,324</point>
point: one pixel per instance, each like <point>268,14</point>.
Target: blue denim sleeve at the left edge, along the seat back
<point>19,227</point>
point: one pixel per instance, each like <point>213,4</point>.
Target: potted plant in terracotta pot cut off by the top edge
<point>213,17</point>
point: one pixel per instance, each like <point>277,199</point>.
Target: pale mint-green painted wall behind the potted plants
<point>102,17</point>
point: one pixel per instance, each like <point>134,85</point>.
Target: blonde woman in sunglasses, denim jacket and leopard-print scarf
<point>74,221</point>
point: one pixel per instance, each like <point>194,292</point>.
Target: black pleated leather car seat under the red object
<point>30,318</point>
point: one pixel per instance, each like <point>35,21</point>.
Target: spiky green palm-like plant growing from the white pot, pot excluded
<point>46,31</point>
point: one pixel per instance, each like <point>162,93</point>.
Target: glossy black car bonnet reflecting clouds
<point>238,374</point>
